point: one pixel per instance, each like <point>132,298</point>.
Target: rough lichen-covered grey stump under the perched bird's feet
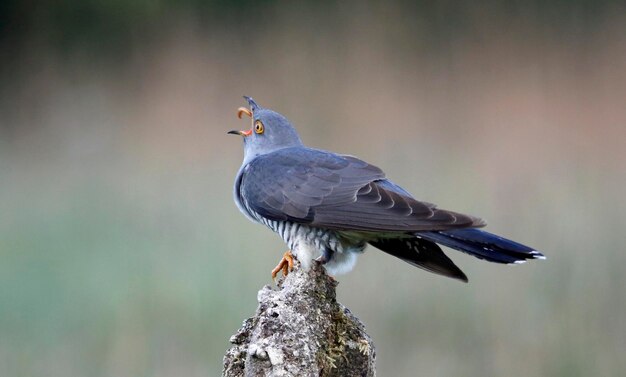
<point>300,329</point>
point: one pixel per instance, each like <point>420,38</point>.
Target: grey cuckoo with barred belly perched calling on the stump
<point>329,206</point>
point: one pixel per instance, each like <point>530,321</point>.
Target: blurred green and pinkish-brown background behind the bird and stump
<point>122,253</point>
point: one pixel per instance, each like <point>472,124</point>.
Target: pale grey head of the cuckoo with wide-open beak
<point>270,131</point>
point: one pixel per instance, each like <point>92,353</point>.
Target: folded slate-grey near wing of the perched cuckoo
<point>338,192</point>
